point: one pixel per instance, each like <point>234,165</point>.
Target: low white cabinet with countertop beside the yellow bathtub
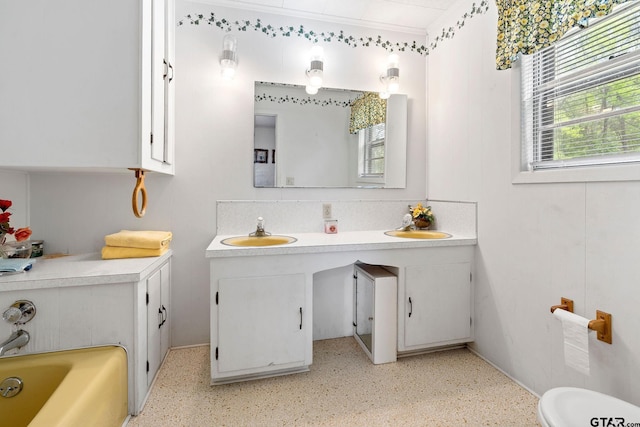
<point>84,301</point>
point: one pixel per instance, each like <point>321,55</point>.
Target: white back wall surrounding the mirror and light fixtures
<point>214,152</point>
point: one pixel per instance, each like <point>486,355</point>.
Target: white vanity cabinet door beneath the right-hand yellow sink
<point>437,304</point>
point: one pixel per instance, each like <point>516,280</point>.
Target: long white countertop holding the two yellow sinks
<point>340,242</point>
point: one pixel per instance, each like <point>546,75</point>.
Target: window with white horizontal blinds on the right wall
<point>581,96</point>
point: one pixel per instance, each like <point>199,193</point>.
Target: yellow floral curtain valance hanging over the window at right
<point>526,26</point>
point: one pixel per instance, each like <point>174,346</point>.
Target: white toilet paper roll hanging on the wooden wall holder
<point>576,340</point>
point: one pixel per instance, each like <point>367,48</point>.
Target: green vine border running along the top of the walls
<point>328,37</point>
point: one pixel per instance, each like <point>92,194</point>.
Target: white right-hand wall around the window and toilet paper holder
<point>537,242</point>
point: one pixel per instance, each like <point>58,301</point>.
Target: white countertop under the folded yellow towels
<point>78,270</point>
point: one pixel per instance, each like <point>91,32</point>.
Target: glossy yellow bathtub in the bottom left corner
<point>85,387</point>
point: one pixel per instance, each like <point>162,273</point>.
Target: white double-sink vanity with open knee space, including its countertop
<point>262,297</point>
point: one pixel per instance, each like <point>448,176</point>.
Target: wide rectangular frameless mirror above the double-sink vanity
<point>303,140</point>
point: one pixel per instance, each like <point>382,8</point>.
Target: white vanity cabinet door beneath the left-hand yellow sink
<point>260,323</point>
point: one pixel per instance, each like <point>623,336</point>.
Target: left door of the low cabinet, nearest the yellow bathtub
<point>154,324</point>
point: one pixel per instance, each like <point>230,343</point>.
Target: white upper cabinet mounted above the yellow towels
<point>87,84</point>
